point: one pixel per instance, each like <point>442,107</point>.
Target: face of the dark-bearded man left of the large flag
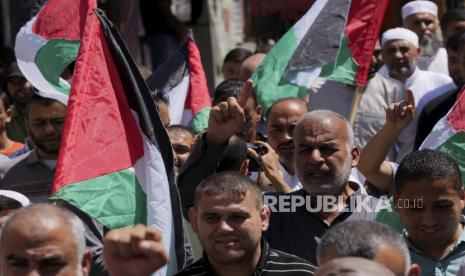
<point>45,126</point>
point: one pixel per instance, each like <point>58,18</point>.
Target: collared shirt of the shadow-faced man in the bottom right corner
<point>447,266</point>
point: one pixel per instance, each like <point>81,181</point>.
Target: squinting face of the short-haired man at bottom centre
<point>229,228</point>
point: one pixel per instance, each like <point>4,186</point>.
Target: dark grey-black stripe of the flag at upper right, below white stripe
<point>321,43</point>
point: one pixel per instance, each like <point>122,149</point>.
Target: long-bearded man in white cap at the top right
<point>421,17</point>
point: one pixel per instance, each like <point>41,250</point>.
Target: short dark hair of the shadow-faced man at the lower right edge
<point>427,164</point>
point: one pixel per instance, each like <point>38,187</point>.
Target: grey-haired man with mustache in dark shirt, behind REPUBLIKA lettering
<point>324,154</point>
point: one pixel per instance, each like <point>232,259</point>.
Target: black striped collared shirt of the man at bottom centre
<point>271,262</point>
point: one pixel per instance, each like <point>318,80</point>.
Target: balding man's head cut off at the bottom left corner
<point>43,239</point>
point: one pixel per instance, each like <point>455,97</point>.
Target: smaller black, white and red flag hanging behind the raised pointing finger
<point>183,80</point>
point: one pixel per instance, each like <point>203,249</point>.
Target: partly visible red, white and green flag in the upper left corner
<point>48,43</point>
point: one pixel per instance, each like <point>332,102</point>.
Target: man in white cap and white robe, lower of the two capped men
<point>400,51</point>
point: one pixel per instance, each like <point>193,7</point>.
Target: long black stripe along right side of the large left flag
<point>141,101</point>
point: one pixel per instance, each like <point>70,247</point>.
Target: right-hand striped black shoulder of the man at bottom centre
<point>281,261</point>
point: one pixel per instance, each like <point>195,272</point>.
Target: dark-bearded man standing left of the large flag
<point>32,174</point>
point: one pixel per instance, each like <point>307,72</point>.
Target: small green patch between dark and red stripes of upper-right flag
<point>343,69</point>
